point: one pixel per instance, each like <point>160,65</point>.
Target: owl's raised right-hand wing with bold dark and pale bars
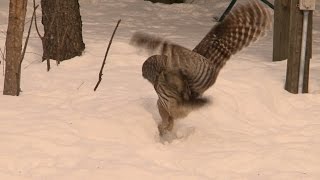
<point>243,25</point>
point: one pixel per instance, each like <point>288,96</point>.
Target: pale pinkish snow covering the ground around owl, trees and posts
<point>59,128</point>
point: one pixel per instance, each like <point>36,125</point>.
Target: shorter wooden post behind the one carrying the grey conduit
<point>281,29</point>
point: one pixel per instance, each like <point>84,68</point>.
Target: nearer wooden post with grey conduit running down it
<point>294,48</point>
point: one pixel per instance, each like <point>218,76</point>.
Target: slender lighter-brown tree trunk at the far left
<point>17,14</point>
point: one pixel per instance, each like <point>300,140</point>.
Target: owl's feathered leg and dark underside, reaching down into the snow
<point>175,100</point>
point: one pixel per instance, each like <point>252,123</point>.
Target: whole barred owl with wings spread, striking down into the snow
<point>180,76</point>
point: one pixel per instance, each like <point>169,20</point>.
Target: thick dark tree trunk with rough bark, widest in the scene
<point>62,23</point>
